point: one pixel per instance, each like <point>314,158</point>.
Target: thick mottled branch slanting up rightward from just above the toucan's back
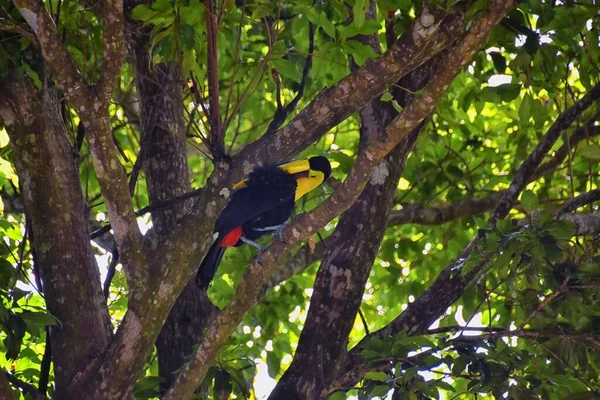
<point>431,32</point>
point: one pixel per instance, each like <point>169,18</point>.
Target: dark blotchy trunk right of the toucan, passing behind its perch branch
<point>347,262</point>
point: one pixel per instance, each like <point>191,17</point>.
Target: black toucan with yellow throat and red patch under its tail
<point>261,204</point>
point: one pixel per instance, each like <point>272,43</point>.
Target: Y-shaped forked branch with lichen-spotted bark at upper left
<point>93,109</point>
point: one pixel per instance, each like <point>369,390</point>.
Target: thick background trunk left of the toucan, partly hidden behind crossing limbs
<point>164,160</point>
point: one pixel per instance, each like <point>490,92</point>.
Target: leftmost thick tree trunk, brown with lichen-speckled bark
<point>56,209</point>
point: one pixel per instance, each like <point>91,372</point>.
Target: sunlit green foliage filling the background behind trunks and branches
<point>524,325</point>
